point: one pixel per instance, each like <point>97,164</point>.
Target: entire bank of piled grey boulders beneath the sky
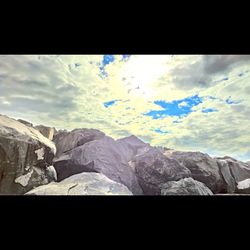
<point>88,162</point>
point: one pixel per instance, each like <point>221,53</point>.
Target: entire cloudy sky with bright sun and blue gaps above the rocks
<point>184,102</point>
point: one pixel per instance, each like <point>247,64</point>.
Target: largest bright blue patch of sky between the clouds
<point>179,108</point>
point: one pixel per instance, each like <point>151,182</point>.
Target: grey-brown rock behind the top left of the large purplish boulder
<point>66,141</point>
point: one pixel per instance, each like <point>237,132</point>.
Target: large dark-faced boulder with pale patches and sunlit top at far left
<point>25,157</point>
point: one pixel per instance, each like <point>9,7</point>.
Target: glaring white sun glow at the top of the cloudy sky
<point>141,71</point>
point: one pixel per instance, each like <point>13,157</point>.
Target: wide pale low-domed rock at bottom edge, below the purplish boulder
<point>83,184</point>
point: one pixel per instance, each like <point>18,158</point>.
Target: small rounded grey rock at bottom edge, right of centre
<point>186,186</point>
